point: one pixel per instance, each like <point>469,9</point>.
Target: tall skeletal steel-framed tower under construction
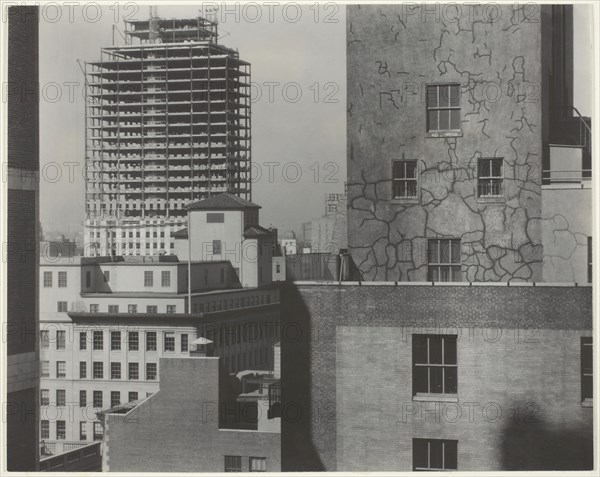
<point>167,123</point>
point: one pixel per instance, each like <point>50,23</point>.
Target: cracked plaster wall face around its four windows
<point>393,53</point>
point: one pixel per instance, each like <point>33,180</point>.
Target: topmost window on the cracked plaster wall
<point>443,107</point>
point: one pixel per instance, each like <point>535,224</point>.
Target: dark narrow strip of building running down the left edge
<point>22,234</point>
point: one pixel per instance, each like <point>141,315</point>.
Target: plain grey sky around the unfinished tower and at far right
<point>298,111</point>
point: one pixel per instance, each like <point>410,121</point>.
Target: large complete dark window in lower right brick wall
<point>434,364</point>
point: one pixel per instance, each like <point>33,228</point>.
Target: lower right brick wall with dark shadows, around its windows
<point>351,374</point>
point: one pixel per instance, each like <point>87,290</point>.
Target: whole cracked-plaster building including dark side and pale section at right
<point>462,145</point>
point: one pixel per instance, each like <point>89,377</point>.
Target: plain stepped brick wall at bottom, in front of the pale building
<point>189,396</point>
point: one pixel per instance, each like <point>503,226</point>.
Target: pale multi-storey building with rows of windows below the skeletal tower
<point>107,321</point>
